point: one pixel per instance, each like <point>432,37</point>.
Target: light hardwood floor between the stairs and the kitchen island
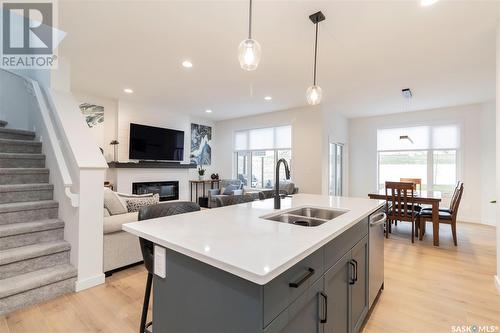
<point>113,307</point>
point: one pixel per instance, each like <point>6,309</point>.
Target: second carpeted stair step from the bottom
<point>22,260</point>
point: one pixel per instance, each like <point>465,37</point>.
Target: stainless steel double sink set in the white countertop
<point>306,216</point>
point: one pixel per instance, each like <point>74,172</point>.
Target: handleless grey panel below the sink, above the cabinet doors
<point>336,249</point>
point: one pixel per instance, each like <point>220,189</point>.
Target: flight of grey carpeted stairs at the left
<point>34,258</point>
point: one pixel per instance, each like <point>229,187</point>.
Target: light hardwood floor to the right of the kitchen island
<point>429,289</point>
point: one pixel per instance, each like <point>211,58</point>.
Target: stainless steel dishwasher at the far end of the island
<point>376,254</point>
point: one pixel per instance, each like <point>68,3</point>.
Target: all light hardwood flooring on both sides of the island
<point>427,289</point>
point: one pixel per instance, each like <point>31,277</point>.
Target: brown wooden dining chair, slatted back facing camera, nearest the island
<point>400,205</point>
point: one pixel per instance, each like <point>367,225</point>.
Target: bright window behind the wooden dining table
<point>430,153</point>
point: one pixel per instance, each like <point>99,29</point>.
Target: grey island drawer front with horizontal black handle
<point>278,293</point>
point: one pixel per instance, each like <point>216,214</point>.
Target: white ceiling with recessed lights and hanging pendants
<point>368,52</point>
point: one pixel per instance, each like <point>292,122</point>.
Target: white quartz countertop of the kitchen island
<point>237,240</point>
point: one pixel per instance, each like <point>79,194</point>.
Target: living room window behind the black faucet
<point>256,154</point>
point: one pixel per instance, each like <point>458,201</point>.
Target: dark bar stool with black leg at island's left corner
<point>147,247</point>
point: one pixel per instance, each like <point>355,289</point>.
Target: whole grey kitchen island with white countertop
<point>232,269</point>
